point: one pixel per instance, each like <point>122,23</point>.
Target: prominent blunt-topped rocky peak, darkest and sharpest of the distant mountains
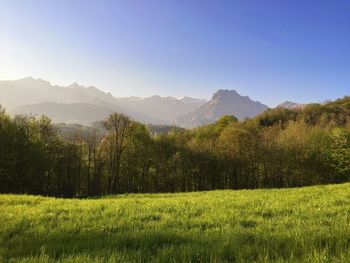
<point>223,102</point>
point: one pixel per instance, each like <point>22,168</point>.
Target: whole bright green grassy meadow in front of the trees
<point>291,225</point>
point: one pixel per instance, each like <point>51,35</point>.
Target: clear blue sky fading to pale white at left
<point>270,50</point>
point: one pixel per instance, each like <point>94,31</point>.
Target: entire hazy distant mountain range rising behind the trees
<point>84,105</point>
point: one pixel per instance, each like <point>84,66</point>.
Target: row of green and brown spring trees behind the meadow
<point>279,148</point>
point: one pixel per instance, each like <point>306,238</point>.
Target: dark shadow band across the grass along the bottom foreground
<point>248,245</point>
